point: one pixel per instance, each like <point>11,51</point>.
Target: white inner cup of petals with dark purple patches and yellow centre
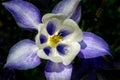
<point>58,38</point>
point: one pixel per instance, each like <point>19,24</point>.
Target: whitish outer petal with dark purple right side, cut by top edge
<point>70,8</point>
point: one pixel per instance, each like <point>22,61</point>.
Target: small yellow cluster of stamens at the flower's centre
<point>54,40</point>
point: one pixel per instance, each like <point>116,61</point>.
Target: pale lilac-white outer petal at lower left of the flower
<point>23,55</point>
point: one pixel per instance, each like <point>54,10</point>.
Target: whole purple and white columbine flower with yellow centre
<point>59,39</point>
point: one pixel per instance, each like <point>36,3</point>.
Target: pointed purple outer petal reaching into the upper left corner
<point>27,16</point>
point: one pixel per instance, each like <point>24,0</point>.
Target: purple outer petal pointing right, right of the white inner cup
<point>95,46</point>
